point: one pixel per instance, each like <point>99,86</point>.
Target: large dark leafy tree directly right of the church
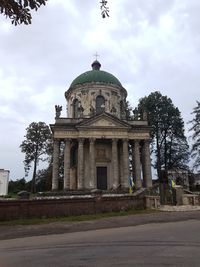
<point>168,139</point>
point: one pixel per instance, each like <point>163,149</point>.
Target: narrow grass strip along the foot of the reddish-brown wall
<point>77,218</point>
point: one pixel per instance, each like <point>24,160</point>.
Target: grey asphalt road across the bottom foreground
<point>164,244</point>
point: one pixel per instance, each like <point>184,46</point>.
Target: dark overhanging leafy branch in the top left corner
<point>19,11</point>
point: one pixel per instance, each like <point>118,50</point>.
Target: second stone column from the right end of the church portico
<point>136,164</point>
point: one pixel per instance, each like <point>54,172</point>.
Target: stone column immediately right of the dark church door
<point>115,165</point>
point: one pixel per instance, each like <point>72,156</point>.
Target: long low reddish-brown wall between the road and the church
<point>78,205</point>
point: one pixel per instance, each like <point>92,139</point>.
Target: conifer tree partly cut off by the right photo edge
<point>195,151</point>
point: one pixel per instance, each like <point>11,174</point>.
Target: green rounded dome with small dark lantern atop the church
<point>96,75</point>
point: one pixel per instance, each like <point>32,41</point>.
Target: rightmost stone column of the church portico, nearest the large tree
<point>146,164</point>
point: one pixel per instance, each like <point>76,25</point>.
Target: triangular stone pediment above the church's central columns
<point>104,121</point>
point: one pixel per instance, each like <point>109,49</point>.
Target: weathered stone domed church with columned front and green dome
<point>98,139</point>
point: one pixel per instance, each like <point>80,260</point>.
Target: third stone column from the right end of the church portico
<point>125,177</point>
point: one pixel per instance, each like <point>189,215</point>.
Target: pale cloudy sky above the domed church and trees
<point>149,45</point>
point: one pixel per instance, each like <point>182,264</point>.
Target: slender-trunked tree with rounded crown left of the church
<point>37,146</point>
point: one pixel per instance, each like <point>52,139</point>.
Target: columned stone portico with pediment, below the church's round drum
<point>101,154</point>
